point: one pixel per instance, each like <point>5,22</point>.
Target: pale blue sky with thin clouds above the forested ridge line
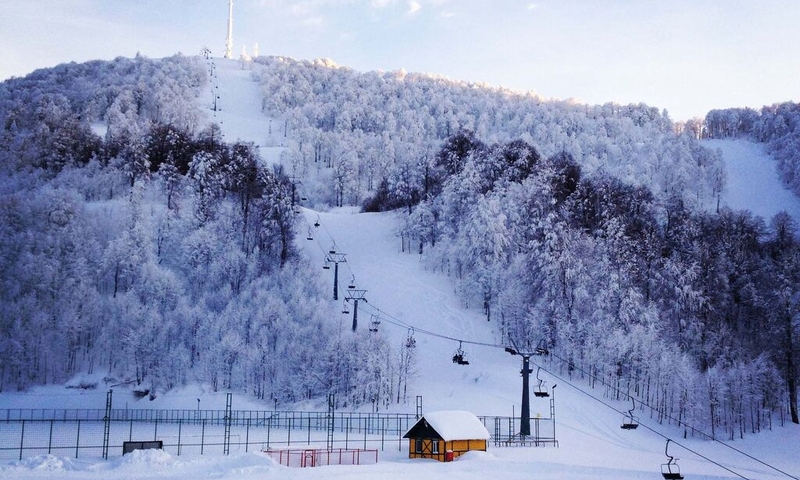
<point>687,56</point>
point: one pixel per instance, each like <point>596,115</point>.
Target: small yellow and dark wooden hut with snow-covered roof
<point>446,435</point>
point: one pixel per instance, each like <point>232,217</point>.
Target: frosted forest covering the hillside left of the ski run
<point>135,242</point>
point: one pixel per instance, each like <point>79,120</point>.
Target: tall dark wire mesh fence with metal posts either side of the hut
<point>25,433</point>
